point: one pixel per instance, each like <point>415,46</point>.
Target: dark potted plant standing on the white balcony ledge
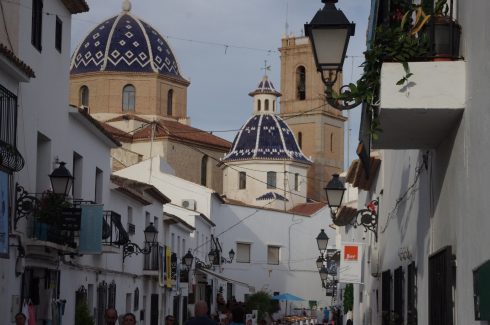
<point>444,33</point>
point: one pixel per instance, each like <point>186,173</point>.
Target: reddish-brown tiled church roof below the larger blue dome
<point>169,129</point>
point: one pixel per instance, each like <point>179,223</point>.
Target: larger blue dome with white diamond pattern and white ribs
<point>124,43</point>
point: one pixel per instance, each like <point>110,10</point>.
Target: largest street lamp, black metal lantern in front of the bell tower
<point>329,32</point>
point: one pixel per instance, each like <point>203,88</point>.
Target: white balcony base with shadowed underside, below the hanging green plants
<point>422,113</point>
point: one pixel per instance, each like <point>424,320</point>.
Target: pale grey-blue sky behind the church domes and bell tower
<point>221,46</point>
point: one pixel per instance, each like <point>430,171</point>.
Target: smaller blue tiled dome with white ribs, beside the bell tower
<point>265,137</point>
